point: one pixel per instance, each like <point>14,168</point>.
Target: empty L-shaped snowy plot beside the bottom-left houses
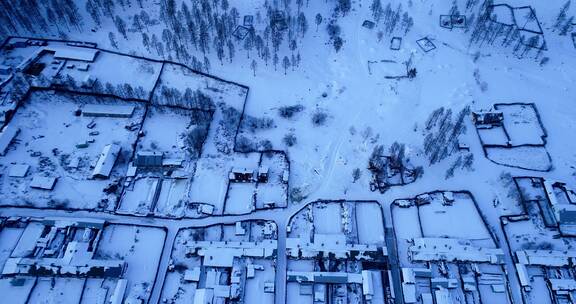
<point>141,248</point>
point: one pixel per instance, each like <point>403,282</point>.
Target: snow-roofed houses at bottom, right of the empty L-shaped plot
<point>227,267</point>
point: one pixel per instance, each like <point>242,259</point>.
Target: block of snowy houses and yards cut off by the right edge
<point>544,266</point>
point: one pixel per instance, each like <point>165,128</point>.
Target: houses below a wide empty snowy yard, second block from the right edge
<point>440,266</point>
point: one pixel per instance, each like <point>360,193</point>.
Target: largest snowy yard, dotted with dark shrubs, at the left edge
<point>56,143</point>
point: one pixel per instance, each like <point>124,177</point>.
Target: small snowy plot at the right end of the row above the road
<point>274,192</point>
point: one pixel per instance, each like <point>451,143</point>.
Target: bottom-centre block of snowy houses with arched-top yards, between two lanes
<point>365,280</point>
